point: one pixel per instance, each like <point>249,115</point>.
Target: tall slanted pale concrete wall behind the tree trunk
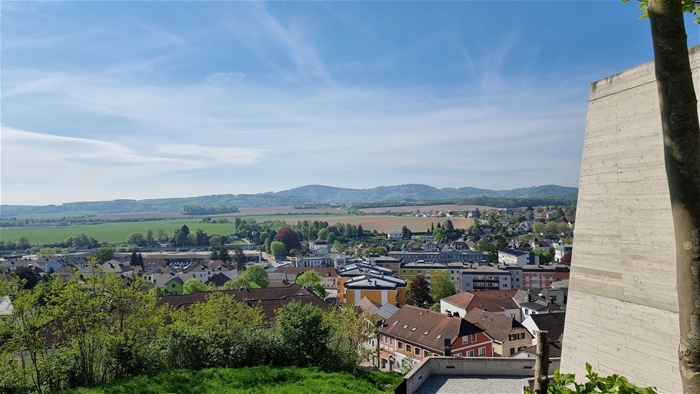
<point>622,312</point>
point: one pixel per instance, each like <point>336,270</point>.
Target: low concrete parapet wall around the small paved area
<point>475,366</point>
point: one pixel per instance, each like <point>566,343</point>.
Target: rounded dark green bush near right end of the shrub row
<point>303,332</point>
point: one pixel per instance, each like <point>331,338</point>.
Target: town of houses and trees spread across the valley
<point>488,289</point>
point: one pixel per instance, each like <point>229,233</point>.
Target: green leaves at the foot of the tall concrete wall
<point>565,384</point>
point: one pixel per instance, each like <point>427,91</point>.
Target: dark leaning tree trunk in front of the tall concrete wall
<point>681,133</point>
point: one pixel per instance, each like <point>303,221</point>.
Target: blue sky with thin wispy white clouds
<point>107,100</point>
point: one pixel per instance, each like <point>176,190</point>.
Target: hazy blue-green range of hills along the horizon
<point>312,194</point>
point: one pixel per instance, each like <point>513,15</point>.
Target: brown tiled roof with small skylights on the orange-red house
<point>427,328</point>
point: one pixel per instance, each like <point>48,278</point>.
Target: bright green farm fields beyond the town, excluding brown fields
<point>119,231</point>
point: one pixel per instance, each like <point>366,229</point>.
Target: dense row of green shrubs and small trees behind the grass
<point>101,329</point>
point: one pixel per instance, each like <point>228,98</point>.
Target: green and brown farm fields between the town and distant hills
<point>119,231</point>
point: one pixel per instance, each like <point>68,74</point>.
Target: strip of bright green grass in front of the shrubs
<point>256,380</point>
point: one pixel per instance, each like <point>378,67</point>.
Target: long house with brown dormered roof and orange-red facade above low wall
<point>413,333</point>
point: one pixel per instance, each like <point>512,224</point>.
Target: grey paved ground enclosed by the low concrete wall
<point>452,384</point>
